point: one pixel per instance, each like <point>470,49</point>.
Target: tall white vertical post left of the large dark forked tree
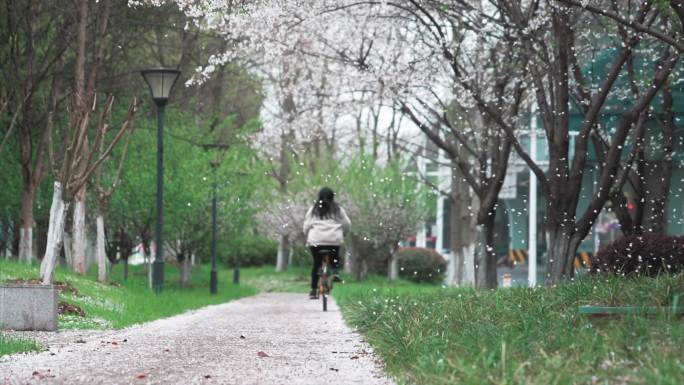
<point>532,209</point>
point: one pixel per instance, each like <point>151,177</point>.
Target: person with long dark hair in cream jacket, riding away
<point>325,225</point>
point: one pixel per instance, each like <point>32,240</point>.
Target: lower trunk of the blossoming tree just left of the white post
<point>485,255</point>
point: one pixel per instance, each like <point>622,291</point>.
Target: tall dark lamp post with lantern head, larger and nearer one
<point>160,81</point>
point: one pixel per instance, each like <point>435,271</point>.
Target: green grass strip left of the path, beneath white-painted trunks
<point>122,302</point>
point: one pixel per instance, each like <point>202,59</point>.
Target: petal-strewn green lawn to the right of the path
<point>431,335</point>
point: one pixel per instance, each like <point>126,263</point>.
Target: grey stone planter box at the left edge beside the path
<point>28,307</point>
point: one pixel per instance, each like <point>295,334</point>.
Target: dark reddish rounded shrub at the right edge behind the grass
<point>645,254</point>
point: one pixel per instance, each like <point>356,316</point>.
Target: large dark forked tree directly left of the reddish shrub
<point>551,67</point>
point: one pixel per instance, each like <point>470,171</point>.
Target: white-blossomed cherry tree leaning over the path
<point>319,78</point>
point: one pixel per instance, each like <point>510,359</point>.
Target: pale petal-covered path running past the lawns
<point>276,338</point>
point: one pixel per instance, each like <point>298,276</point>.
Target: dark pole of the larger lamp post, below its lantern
<point>158,265</point>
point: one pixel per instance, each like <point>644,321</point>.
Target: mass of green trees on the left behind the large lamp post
<point>207,131</point>
